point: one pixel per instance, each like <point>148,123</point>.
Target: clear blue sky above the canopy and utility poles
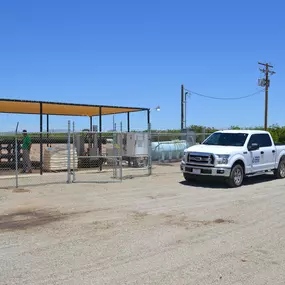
<point>138,53</point>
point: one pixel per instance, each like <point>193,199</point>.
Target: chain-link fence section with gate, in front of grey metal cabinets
<point>109,156</point>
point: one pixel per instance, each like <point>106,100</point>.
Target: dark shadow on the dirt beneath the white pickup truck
<point>220,184</point>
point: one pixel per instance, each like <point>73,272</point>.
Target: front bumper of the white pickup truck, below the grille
<point>205,171</point>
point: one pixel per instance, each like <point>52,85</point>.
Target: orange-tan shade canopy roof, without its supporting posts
<point>63,109</point>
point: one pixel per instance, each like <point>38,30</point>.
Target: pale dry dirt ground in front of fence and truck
<point>150,230</point>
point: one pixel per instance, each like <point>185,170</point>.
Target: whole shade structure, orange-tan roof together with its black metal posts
<point>29,107</point>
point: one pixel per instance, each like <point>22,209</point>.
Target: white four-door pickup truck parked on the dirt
<point>234,154</point>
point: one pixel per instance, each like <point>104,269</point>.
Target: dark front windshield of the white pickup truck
<point>226,139</point>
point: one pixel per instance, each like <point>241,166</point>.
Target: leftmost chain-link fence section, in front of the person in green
<point>33,158</point>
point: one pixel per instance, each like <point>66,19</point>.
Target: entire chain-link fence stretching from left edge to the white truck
<point>84,156</point>
